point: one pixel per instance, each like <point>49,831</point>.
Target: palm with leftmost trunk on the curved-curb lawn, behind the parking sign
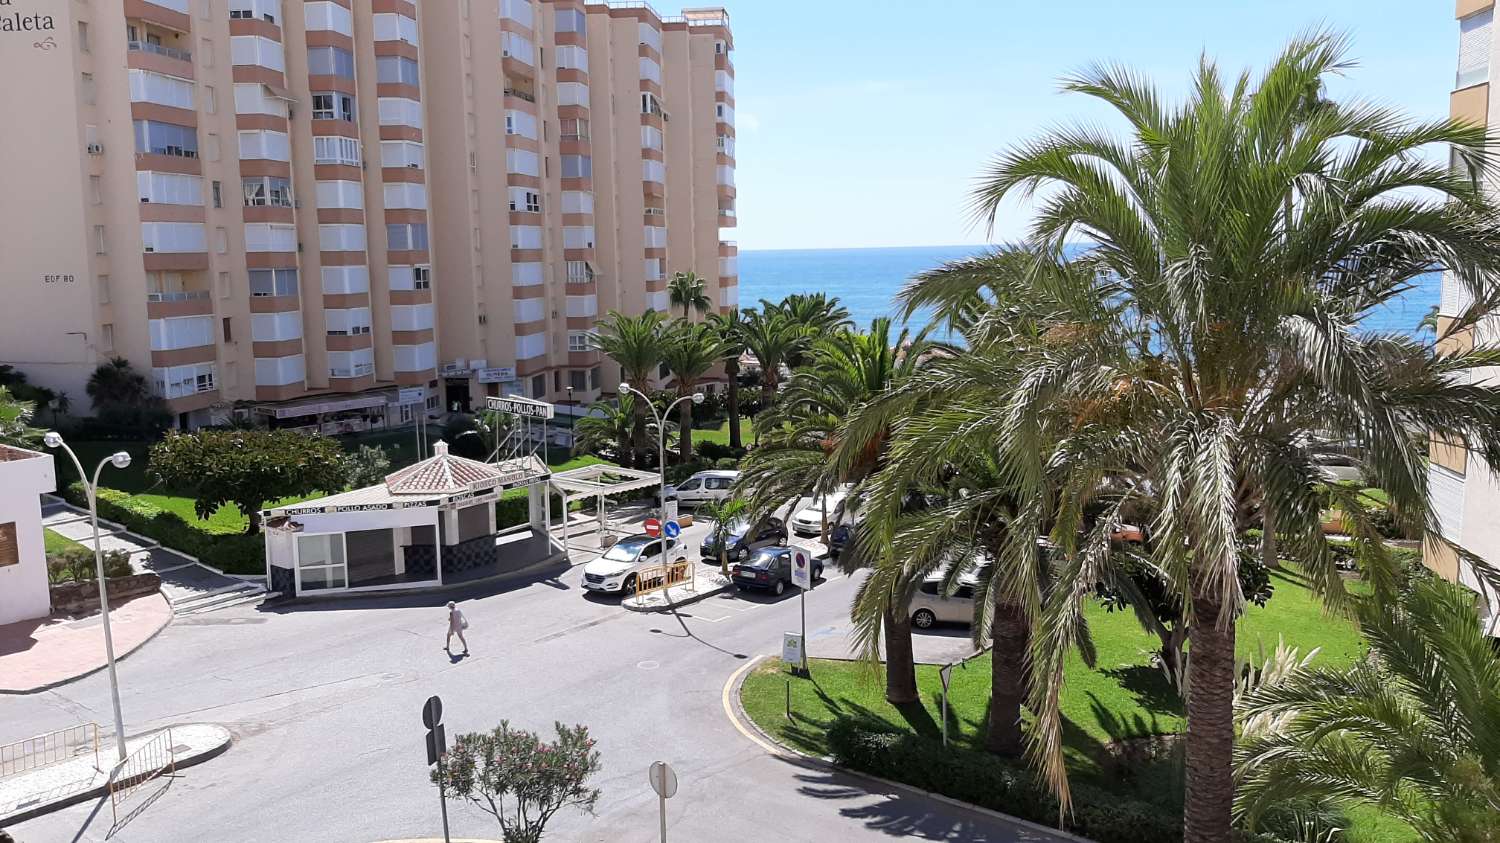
<point>805,433</point>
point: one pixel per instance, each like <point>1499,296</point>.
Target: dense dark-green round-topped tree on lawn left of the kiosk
<point>247,469</point>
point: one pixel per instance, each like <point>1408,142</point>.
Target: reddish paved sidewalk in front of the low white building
<point>49,652</point>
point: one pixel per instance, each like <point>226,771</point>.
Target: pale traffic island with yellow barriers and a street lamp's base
<point>86,776</point>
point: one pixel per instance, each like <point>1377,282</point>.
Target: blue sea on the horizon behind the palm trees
<point>866,281</point>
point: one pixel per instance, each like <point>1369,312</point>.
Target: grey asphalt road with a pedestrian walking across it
<point>325,704</point>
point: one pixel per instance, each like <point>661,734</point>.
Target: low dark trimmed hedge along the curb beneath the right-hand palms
<point>989,782</point>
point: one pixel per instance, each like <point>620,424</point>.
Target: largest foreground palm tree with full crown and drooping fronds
<point>1240,241</point>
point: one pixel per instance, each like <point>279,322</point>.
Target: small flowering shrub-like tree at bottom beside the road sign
<point>520,781</point>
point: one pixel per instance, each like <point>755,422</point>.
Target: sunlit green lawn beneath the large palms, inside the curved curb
<point>1124,697</point>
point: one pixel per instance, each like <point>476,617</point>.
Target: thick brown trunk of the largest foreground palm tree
<point>1211,725</point>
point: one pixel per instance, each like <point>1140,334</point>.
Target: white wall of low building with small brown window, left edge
<point>25,476</point>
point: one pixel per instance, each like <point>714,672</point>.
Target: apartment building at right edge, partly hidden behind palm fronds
<point>1465,491</point>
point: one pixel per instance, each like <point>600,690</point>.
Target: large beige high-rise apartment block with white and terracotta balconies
<point>335,214</point>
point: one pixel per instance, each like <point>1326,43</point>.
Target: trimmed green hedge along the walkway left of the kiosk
<point>229,553</point>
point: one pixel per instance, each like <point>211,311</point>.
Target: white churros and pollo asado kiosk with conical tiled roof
<point>427,526</point>
